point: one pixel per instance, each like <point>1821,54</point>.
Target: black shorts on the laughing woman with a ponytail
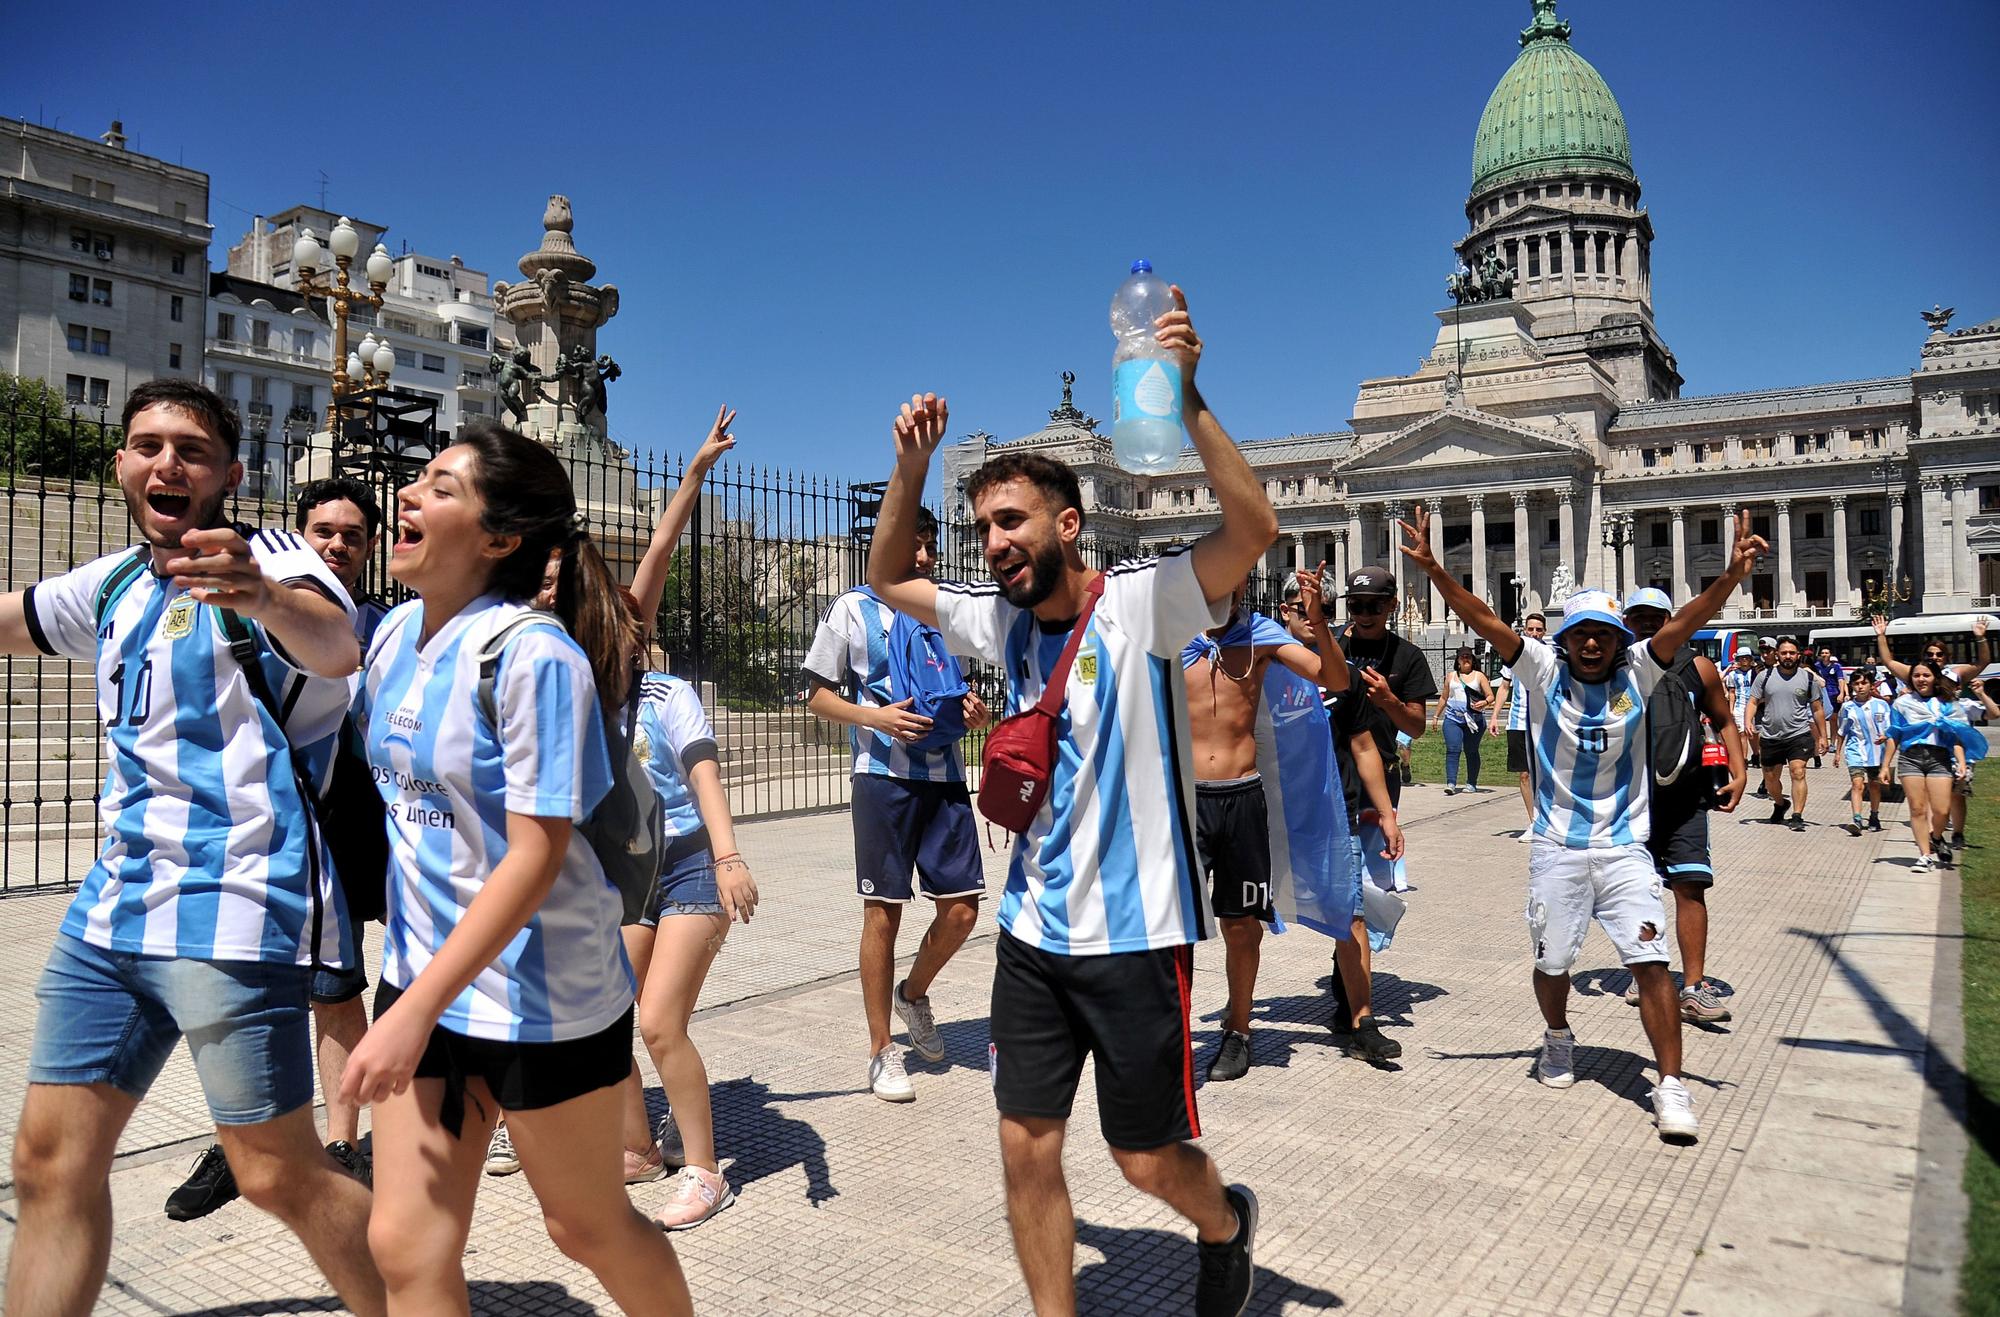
<point>523,1076</point>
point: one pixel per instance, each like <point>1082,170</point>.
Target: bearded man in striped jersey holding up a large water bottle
<point>1103,900</point>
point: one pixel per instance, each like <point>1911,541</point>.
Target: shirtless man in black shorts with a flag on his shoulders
<point>1231,830</point>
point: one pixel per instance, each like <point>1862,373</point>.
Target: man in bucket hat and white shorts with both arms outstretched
<point>1593,808</point>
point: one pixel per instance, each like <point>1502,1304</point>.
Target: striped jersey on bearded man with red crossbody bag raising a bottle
<point>1109,864</point>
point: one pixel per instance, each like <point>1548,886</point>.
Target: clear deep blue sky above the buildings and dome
<point>815,209</point>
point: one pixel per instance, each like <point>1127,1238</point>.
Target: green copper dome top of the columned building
<point>1551,113</point>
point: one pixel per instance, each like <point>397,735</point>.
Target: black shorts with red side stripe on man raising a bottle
<point>1129,1012</point>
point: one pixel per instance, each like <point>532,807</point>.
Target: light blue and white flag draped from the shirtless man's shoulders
<point>1295,756</point>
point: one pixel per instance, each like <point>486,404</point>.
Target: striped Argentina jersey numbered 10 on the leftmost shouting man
<point>209,848</point>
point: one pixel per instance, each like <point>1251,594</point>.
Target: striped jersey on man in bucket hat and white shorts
<point>1589,748</point>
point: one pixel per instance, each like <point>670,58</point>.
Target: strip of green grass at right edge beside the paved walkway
<point>1979,1282</point>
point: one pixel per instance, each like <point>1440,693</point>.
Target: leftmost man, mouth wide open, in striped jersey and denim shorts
<point>211,904</point>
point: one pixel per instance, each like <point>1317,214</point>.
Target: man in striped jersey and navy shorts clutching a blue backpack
<point>911,816</point>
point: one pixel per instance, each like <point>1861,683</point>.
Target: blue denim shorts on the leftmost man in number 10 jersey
<point>113,1018</point>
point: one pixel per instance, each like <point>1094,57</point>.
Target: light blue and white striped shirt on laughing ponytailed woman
<point>451,774</point>
